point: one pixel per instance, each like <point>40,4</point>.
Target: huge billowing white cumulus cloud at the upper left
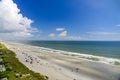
<point>12,22</point>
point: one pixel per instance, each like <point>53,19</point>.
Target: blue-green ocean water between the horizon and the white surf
<point>98,48</point>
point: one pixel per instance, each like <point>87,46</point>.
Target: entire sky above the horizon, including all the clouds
<point>60,20</point>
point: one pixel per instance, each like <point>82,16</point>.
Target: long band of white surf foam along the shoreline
<point>74,54</point>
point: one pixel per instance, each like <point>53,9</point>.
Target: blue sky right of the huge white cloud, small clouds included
<point>72,19</point>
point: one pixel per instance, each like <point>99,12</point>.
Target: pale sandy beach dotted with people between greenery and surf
<point>62,67</point>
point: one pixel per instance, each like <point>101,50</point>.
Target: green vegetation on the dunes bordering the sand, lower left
<point>14,69</point>
